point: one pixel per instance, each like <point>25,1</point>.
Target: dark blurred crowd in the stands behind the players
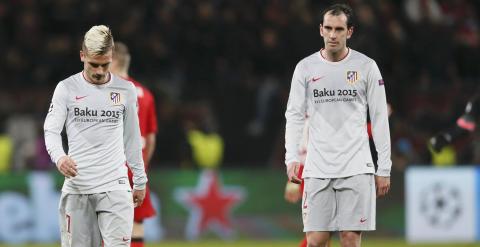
<point>224,67</point>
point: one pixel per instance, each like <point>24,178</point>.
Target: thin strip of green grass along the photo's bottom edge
<point>366,243</point>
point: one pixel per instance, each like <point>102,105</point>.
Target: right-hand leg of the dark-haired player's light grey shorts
<point>356,202</point>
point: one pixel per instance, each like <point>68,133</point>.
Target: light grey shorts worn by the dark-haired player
<point>339,204</point>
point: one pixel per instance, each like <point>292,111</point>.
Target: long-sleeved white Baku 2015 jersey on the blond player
<point>103,134</point>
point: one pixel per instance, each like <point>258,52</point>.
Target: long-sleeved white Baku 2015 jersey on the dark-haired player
<point>335,96</point>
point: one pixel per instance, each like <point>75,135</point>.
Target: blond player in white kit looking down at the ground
<point>99,112</point>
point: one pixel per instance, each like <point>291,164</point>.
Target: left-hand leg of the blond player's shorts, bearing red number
<point>78,221</point>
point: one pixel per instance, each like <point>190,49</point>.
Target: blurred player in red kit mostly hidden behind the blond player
<point>148,127</point>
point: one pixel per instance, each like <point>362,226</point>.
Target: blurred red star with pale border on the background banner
<point>210,204</point>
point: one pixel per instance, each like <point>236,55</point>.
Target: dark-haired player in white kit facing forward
<point>335,87</point>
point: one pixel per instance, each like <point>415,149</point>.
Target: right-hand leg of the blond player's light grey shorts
<point>115,217</point>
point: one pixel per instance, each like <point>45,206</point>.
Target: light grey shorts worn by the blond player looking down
<point>86,220</point>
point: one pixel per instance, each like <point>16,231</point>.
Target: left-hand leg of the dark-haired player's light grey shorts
<point>318,205</point>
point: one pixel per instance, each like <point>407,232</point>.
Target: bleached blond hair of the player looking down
<point>98,41</point>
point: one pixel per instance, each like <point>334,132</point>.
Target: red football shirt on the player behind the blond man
<point>147,115</point>
